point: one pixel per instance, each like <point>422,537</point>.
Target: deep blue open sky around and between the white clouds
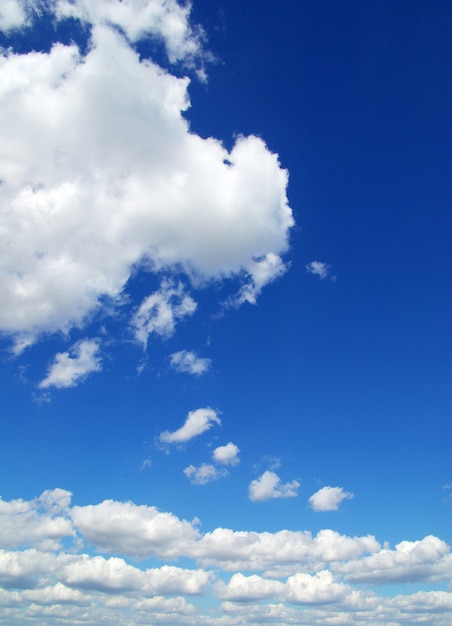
<point>335,381</point>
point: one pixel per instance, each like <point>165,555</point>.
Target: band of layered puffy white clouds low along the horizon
<point>301,578</point>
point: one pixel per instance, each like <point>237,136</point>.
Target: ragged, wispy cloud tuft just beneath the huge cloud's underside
<point>159,312</point>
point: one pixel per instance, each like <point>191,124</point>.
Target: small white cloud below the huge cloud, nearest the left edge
<point>69,368</point>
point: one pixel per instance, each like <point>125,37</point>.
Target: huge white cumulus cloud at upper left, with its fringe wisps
<point>101,177</point>
